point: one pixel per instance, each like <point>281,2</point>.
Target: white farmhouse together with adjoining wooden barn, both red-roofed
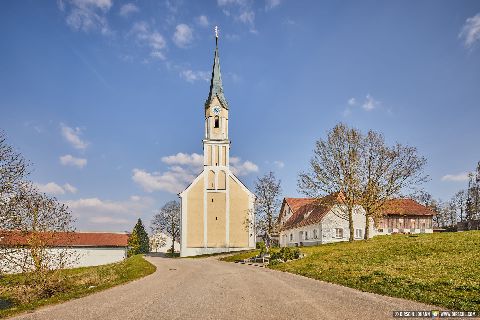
<point>310,221</point>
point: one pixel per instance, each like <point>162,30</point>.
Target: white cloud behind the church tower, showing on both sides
<point>183,169</point>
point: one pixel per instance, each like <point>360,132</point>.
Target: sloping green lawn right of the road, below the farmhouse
<point>441,269</point>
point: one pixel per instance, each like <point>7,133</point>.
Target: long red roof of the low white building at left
<point>60,239</point>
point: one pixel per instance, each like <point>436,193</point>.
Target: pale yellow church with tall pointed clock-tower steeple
<point>217,208</point>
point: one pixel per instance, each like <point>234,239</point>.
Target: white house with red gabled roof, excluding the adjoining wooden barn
<point>308,221</point>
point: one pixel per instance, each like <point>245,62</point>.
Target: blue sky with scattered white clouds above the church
<point>106,97</point>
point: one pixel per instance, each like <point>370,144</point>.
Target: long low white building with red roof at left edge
<point>85,248</point>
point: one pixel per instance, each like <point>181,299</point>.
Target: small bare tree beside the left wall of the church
<point>168,221</point>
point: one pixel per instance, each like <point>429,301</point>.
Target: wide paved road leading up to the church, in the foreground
<point>211,289</point>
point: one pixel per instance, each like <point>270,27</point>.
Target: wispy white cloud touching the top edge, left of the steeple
<point>88,15</point>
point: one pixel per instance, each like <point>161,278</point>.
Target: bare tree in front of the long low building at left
<point>33,224</point>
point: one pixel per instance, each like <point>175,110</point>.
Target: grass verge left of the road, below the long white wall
<point>16,296</point>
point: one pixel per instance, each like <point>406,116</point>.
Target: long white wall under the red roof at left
<point>79,257</point>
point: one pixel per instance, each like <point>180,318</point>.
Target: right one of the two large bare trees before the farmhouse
<point>385,173</point>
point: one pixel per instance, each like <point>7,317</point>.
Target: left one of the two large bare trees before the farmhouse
<point>335,168</point>
